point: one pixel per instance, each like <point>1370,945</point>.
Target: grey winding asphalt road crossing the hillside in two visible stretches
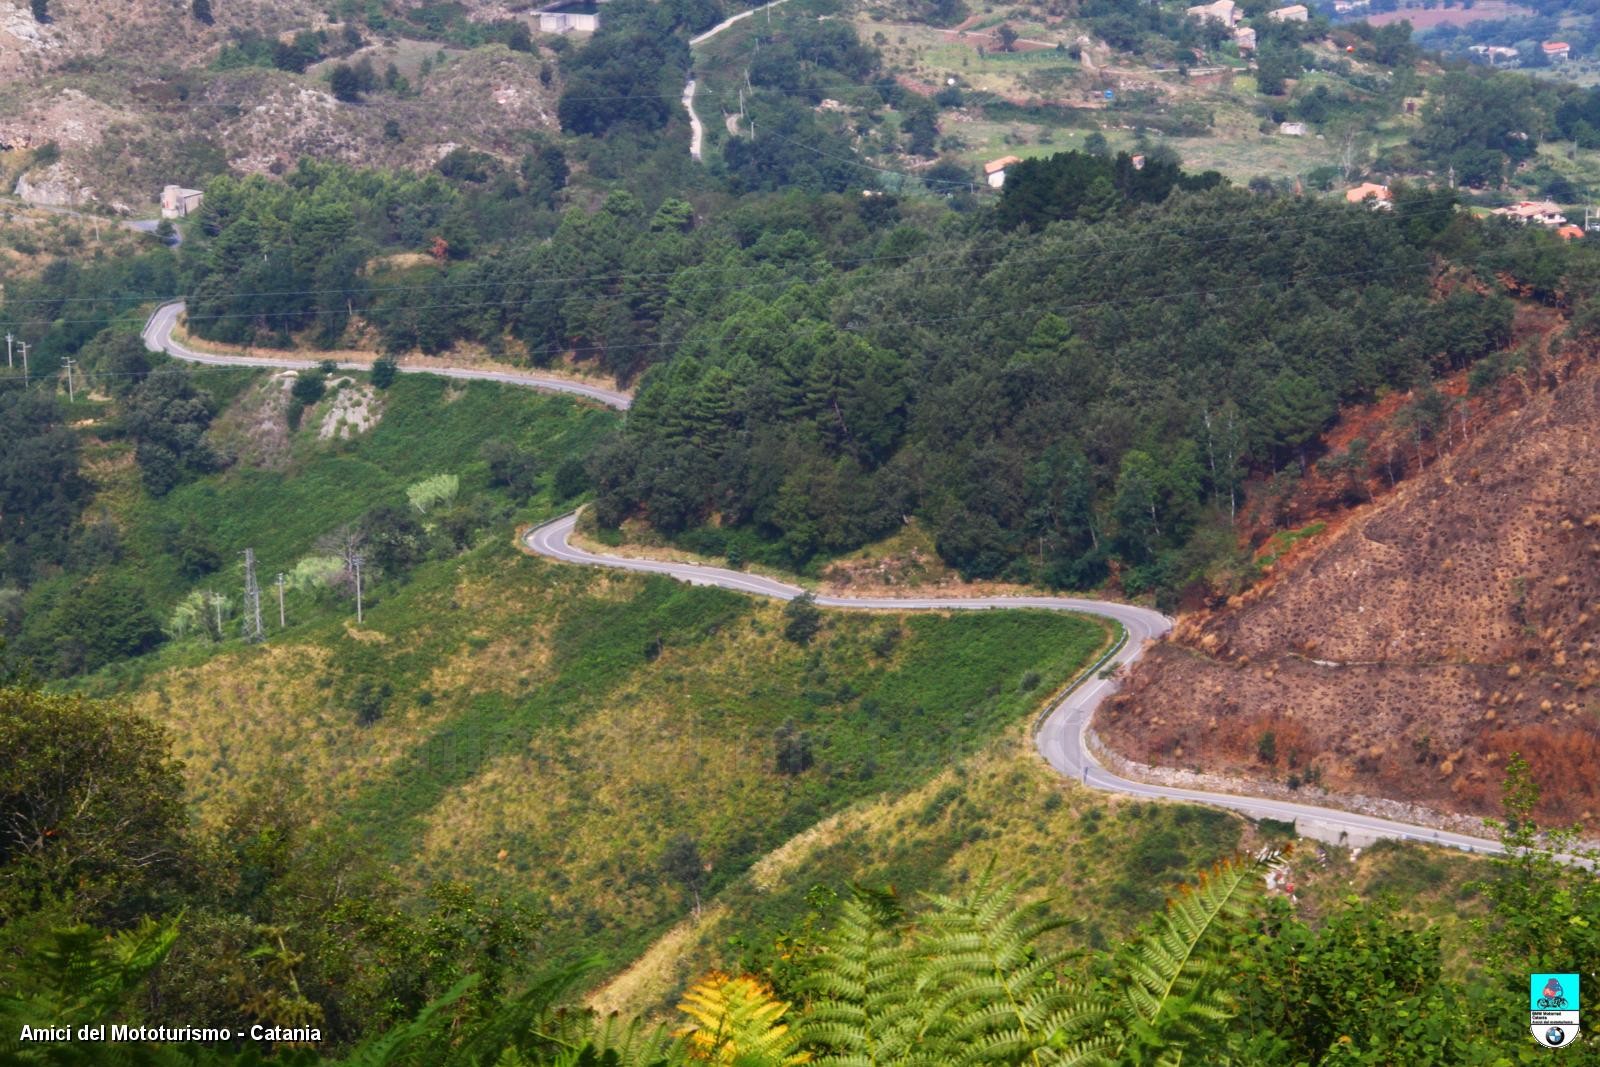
<point>1063,737</point>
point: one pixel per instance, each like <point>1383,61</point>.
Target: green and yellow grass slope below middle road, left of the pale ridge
<point>548,730</point>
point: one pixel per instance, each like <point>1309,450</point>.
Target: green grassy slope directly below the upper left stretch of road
<point>289,490</point>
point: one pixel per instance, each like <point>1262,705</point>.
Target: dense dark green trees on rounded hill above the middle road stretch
<point>1046,402</point>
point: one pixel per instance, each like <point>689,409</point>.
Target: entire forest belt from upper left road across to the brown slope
<point>1052,401</point>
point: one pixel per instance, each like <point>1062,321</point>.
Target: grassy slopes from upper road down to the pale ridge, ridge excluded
<point>543,730</point>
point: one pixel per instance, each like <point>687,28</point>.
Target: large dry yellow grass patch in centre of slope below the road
<point>578,799</point>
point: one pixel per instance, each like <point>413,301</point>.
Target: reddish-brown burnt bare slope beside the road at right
<point>1438,633</point>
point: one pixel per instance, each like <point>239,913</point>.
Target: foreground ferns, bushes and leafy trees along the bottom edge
<point>977,977</point>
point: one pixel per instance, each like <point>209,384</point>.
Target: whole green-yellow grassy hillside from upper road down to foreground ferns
<point>554,733</point>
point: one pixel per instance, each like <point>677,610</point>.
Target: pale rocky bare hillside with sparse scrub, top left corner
<point>132,102</point>
